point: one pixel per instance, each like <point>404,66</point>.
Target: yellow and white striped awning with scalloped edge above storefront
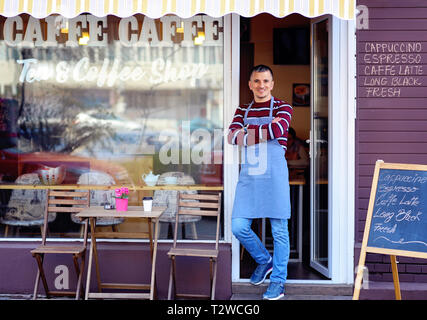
<point>344,9</point>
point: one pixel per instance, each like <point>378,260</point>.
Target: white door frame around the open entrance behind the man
<point>342,148</point>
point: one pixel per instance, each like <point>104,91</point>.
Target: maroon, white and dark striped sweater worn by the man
<point>255,133</point>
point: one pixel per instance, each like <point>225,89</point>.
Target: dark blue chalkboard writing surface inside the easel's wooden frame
<point>399,216</point>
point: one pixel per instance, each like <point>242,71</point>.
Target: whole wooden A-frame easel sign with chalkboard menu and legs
<point>395,221</point>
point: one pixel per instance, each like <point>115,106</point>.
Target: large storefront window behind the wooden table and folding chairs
<point>109,101</point>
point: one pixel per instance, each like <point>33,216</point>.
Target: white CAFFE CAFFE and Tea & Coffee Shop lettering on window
<point>132,32</point>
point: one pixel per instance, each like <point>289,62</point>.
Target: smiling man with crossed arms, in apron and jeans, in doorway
<point>261,128</point>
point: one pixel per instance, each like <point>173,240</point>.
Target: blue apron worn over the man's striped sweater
<point>263,187</point>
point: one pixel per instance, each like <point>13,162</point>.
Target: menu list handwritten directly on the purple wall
<point>389,68</point>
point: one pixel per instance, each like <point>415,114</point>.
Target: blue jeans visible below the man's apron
<point>241,228</point>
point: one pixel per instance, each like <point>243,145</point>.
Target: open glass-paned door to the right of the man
<point>319,146</point>
